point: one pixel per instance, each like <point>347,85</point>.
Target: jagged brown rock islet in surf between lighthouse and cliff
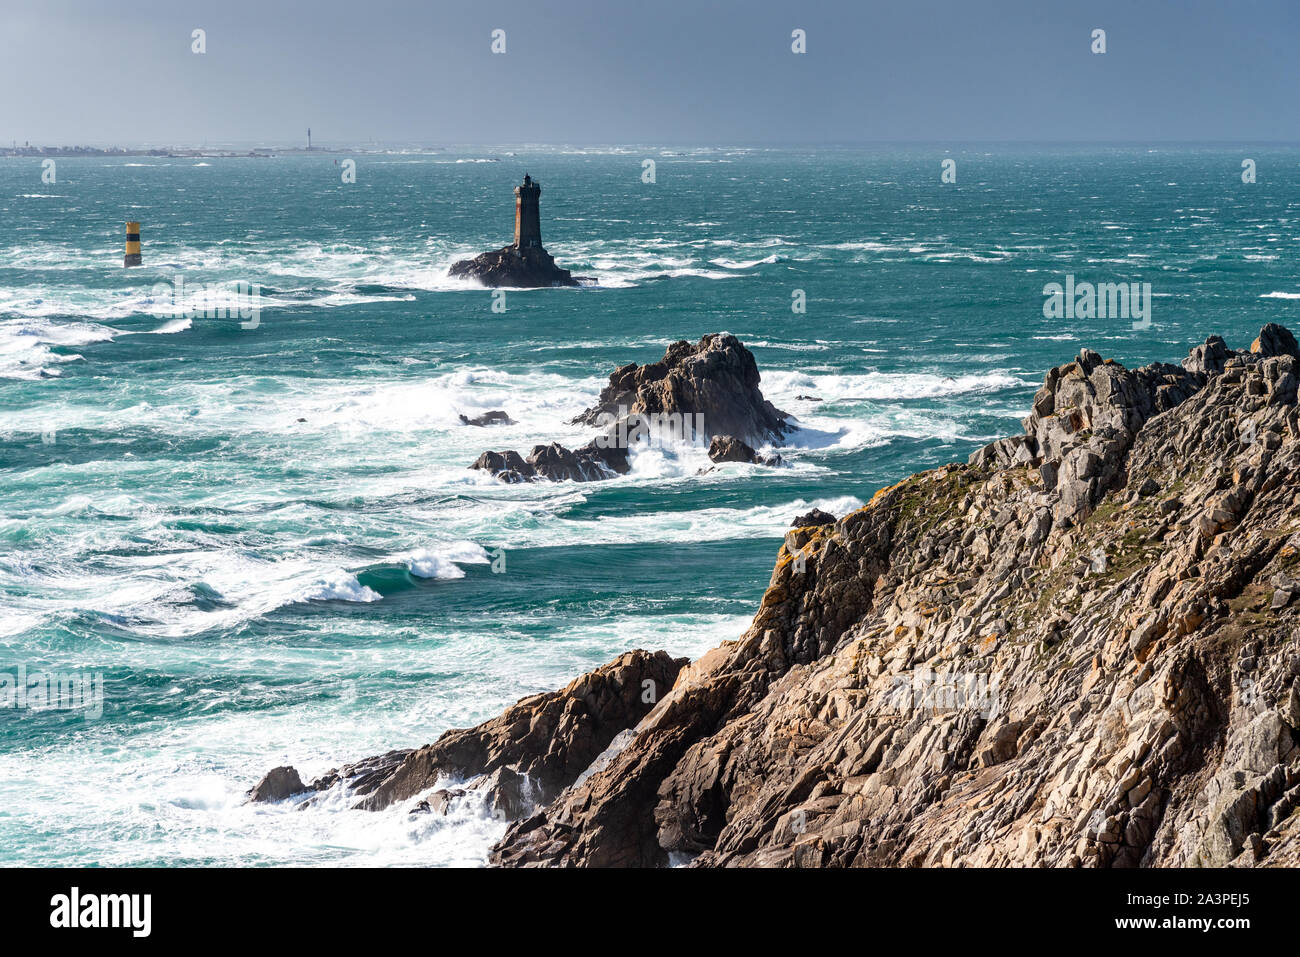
<point>704,391</point>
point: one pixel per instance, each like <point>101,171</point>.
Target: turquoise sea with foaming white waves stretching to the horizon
<point>267,539</point>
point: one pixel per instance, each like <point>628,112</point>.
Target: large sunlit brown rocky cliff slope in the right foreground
<point>1078,649</point>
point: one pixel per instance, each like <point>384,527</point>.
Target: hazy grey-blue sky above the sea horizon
<point>647,72</point>
